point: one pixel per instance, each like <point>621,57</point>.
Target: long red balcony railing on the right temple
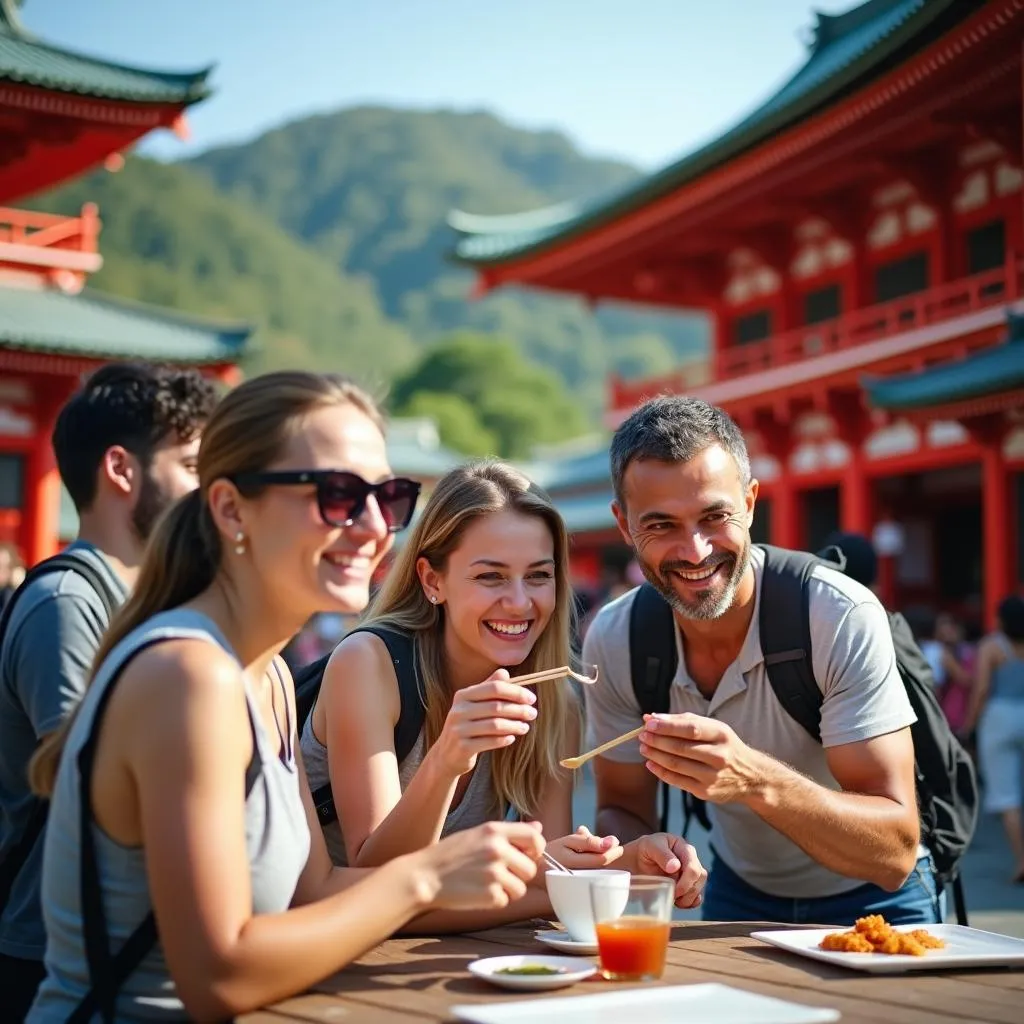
<point>936,305</point>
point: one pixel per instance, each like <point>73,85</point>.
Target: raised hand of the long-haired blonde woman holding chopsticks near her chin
<point>486,717</point>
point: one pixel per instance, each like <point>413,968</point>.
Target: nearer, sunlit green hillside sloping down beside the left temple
<point>170,238</point>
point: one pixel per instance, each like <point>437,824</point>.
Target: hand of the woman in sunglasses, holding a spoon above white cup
<point>483,869</point>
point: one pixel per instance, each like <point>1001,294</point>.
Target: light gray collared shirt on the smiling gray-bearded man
<point>864,697</point>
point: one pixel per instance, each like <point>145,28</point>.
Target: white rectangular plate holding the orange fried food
<point>966,948</point>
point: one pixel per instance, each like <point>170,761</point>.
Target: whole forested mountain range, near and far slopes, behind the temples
<point>330,235</point>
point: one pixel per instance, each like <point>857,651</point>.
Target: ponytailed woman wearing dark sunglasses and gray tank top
<point>185,874</point>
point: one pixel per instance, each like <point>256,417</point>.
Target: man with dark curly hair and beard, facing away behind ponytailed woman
<point>126,446</point>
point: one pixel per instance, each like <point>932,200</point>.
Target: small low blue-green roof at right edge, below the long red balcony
<point>989,372</point>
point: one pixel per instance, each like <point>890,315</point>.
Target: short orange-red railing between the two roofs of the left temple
<point>61,249</point>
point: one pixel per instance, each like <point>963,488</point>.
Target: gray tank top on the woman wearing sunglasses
<point>277,840</point>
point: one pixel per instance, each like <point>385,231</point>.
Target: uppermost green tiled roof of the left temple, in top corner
<point>27,61</point>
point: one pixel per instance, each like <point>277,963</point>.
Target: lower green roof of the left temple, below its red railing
<point>96,326</point>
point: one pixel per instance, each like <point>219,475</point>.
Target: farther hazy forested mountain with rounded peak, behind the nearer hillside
<point>370,188</point>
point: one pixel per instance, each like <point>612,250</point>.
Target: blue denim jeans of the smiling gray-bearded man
<point>921,901</point>
